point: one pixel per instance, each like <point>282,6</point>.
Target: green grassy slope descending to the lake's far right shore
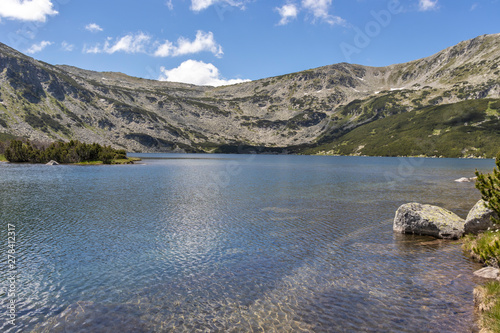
<point>468,128</point>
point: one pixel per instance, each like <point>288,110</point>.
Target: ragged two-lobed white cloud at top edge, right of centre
<point>317,9</point>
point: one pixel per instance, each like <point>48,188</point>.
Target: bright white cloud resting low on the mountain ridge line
<point>196,72</point>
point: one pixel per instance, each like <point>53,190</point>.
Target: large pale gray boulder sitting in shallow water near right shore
<point>415,218</point>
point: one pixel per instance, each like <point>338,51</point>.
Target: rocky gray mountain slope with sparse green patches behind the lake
<point>299,111</point>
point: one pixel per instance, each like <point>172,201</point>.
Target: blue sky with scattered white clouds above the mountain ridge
<point>217,42</point>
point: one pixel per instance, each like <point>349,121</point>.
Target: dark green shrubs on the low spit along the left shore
<point>62,152</point>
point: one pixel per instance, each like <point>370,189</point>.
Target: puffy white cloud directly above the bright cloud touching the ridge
<point>204,41</point>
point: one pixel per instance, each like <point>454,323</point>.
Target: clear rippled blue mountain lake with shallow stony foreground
<point>234,243</point>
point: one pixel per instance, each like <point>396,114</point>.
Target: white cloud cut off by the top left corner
<point>27,10</point>
